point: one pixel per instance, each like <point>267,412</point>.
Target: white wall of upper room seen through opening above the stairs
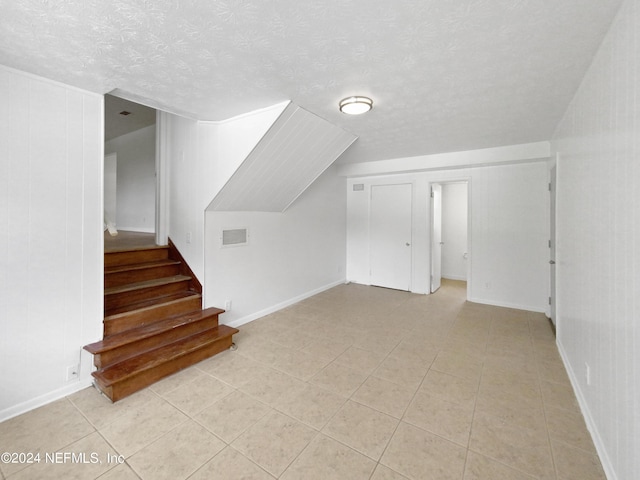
<point>136,181</point>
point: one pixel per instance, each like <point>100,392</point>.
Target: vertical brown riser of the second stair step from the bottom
<point>118,354</point>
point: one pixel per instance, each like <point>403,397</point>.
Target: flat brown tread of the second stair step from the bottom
<point>148,330</point>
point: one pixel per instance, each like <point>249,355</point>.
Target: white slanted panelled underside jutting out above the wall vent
<point>297,148</point>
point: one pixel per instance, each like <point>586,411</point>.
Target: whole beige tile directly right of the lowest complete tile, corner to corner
<point>362,428</point>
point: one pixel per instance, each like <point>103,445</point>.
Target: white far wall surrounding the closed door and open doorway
<point>509,232</point>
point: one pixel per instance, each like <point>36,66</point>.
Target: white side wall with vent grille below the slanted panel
<point>289,256</point>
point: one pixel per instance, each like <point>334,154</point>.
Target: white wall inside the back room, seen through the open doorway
<point>454,231</point>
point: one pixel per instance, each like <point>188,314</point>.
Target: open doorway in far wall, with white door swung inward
<point>449,232</point>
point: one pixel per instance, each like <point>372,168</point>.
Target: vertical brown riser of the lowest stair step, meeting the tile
<point>133,384</point>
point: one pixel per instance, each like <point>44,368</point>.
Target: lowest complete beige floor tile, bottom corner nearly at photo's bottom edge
<point>274,442</point>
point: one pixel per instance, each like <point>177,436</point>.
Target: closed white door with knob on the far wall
<point>390,228</point>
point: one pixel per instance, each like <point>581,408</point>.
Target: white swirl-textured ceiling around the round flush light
<point>445,75</point>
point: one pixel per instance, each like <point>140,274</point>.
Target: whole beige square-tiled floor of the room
<point>354,383</point>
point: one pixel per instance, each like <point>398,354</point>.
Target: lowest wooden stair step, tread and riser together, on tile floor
<point>124,378</point>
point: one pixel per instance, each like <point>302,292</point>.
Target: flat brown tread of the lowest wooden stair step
<point>164,354</point>
